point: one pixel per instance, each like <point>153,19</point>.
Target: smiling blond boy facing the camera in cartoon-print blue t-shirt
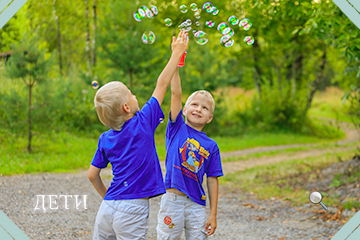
<point>190,154</point>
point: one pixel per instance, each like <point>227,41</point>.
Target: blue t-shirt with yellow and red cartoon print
<point>190,154</point>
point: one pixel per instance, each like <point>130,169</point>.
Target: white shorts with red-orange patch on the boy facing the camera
<point>178,212</point>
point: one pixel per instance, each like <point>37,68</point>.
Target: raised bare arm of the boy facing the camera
<point>176,93</point>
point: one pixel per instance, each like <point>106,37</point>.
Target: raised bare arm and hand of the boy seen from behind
<point>178,45</point>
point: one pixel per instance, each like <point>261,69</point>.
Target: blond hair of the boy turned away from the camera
<point>108,101</point>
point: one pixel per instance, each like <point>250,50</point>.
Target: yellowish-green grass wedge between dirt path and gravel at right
<point>278,180</point>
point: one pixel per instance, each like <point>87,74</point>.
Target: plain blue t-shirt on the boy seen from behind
<point>132,154</point>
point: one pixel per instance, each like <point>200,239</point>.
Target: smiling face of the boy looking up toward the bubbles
<point>198,112</point>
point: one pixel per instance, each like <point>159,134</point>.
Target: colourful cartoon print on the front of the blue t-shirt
<point>192,155</point>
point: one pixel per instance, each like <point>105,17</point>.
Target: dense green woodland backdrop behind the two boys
<point>300,47</point>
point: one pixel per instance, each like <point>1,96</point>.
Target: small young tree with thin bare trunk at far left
<point>28,63</point>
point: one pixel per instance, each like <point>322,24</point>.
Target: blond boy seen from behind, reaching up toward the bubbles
<point>129,147</point>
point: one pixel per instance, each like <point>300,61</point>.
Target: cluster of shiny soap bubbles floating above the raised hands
<point>200,36</point>
